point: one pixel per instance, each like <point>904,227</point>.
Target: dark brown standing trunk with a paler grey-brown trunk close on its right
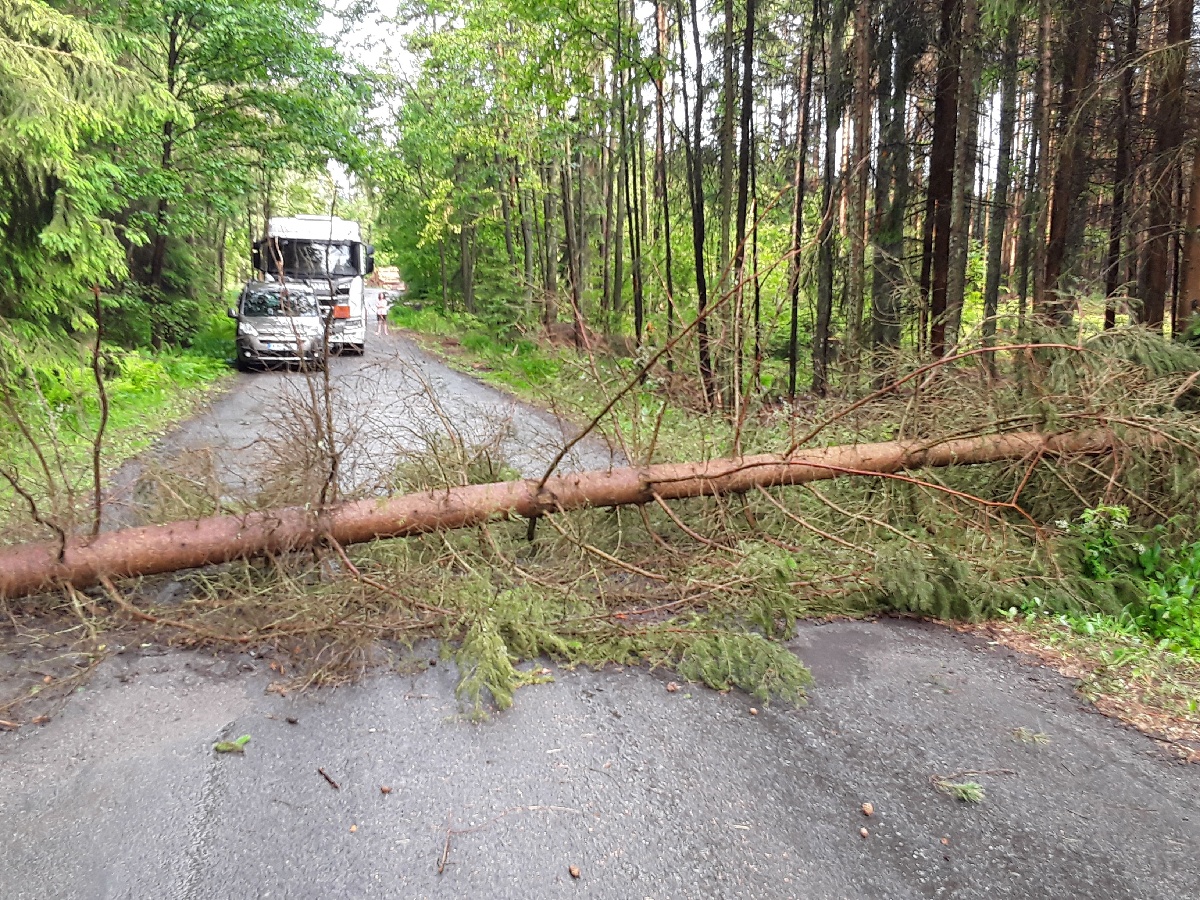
<point>937,251</point>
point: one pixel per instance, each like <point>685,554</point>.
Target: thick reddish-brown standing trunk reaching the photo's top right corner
<point>1168,111</point>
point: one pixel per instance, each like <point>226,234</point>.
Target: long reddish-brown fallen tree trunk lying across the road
<point>152,550</point>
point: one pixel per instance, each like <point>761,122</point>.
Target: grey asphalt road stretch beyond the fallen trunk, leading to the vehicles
<point>393,401</point>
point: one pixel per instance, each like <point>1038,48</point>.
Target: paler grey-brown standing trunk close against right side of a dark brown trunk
<point>964,173</point>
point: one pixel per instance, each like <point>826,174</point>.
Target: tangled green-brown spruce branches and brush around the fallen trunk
<point>713,587</point>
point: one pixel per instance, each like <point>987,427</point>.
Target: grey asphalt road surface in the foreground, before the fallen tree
<point>647,794</point>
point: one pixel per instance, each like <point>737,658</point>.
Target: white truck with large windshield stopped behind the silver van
<point>328,255</point>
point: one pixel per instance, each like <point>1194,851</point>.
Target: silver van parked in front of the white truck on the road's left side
<point>279,323</point>
